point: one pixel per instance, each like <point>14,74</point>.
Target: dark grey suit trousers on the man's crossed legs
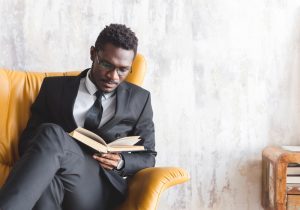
<point>55,173</point>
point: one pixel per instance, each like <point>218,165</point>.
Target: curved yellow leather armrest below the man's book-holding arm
<point>146,186</point>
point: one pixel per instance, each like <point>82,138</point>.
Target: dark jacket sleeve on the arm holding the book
<point>144,127</point>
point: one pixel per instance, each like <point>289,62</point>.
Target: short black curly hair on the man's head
<point>119,35</point>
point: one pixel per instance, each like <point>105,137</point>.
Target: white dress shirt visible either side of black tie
<point>86,98</point>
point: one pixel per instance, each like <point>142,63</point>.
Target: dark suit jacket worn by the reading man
<point>133,116</point>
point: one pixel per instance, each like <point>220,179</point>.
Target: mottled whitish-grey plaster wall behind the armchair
<point>224,77</point>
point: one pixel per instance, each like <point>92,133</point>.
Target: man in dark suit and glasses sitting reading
<point>54,170</point>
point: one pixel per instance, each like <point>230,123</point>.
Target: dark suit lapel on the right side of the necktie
<point>122,99</point>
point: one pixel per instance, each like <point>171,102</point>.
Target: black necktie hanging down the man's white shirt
<point>94,114</point>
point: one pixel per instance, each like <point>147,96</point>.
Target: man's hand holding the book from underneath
<point>108,161</point>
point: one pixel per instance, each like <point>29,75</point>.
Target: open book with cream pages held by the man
<point>96,142</point>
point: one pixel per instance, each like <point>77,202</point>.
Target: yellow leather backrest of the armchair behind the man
<point>18,90</point>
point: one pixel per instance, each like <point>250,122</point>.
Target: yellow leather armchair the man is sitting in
<point>18,90</point>
